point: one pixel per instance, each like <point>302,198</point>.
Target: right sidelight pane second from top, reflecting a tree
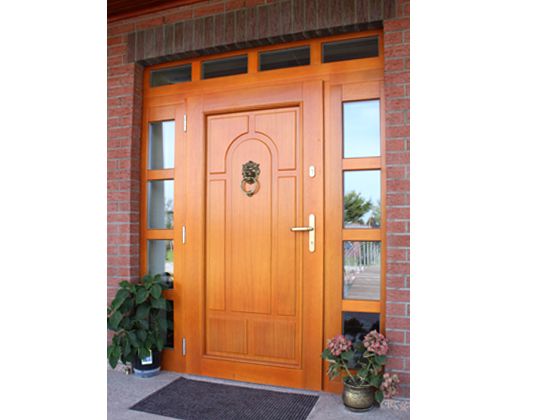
<point>362,199</point>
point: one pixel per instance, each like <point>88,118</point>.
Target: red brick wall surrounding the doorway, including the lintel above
<point>229,24</point>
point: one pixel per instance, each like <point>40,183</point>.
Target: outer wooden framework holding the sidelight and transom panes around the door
<point>350,80</point>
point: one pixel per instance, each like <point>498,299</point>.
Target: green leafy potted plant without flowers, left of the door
<point>138,317</point>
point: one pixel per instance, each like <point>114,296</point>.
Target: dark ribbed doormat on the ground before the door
<point>188,399</point>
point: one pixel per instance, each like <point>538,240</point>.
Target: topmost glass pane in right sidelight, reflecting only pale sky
<point>362,131</point>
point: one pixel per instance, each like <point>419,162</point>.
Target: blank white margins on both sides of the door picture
<point>485,209</point>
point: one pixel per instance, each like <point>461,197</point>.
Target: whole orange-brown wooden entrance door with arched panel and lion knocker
<point>253,295</point>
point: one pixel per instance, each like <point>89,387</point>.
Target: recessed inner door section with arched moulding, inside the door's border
<point>255,296</point>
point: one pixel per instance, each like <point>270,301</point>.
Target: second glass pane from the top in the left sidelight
<point>160,204</point>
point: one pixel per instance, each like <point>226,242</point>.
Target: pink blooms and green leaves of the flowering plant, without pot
<point>366,358</point>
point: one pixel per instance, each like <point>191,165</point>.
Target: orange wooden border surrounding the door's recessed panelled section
<point>306,95</point>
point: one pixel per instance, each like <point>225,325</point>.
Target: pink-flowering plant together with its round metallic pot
<point>361,366</point>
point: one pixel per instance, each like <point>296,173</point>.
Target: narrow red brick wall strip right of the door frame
<point>397,132</point>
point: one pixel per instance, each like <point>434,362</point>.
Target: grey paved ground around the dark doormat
<point>123,391</point>
